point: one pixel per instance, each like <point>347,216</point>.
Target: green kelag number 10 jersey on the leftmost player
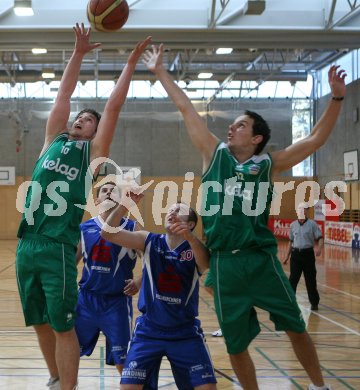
<point>58,184</point>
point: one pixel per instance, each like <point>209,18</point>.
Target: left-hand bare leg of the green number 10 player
<point>47,342</point>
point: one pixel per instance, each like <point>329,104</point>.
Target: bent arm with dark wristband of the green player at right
<point>293,154</point>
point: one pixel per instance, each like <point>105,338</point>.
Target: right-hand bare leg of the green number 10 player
<point>67,358</point>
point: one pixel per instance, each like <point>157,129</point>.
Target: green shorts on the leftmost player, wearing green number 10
<point>46,274</point>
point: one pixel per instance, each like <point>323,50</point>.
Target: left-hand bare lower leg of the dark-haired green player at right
<point>244,369</point>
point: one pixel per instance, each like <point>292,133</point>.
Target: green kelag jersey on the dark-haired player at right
<point>236,200</point>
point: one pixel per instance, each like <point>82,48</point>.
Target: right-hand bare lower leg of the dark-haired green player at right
<point>307,356</point>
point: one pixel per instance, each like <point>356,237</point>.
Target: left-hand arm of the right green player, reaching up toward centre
<point>204,141</point>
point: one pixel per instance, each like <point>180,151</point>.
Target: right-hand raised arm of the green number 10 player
<point>107,125</point>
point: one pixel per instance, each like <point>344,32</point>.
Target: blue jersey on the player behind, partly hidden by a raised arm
<point>106,265</point>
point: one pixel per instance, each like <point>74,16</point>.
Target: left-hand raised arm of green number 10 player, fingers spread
<point>60,112</point>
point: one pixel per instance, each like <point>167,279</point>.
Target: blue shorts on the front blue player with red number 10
<point>189,357</point>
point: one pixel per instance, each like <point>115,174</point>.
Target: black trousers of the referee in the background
<point>304,262</point>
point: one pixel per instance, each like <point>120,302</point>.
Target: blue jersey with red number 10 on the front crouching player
<point>169,295</point>
